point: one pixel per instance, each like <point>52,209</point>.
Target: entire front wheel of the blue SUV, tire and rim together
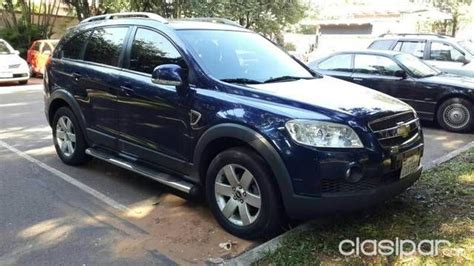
<point>242,196</point>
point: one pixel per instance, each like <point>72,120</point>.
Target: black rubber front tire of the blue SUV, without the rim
<point>270,213</point>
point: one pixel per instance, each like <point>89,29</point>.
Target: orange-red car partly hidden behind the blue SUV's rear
<point>38,55</point>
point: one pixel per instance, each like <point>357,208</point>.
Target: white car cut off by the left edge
<point>12,66</point>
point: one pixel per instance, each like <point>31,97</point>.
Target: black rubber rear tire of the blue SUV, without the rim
<point>79,156</point>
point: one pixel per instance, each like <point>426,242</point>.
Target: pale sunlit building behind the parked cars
<point>343,25</point>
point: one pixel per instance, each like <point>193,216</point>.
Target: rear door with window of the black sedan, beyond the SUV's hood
<point>338,66</point>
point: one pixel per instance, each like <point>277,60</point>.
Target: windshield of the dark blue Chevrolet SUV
<point>242,57</point>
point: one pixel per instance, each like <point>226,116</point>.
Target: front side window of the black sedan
<point>375,65</point>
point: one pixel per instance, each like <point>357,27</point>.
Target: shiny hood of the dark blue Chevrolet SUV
<point>336,94</point>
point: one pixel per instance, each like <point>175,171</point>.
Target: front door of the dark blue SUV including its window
<point>153,118</point>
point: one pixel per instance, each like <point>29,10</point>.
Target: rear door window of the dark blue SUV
<point>105,45</point>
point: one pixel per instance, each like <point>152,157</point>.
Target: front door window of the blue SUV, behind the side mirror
<point>151,49</point>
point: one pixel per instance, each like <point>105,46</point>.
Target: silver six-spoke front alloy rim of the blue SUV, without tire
<point>238,194</point>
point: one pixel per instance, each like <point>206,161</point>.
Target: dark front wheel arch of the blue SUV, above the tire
<point>224,136</point>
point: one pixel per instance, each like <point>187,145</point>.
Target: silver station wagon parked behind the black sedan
<point>446,53</point>
